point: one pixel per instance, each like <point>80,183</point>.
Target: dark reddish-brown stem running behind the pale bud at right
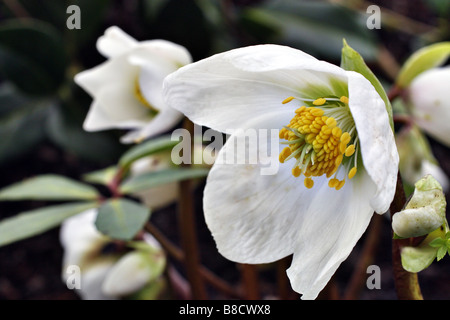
<point>406,283</point>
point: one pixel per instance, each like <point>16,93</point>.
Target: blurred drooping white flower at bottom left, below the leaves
<point>106,272</point>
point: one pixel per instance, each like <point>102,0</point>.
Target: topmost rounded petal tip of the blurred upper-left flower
<point>115,42</point>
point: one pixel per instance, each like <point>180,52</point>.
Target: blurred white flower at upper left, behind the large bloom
<point>127,88</point>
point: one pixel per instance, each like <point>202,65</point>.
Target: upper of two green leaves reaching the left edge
<point>49,187</point>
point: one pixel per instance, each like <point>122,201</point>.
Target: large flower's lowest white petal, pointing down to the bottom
<point>335,221</point>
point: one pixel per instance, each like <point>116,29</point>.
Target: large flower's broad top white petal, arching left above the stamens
<point>226,90</point>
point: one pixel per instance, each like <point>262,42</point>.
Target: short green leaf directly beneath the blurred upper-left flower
<point>145,149</point>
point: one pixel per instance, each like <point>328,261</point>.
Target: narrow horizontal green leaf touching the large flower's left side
<point>154,179</point>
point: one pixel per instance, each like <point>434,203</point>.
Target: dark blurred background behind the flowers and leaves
<point>42,110</point>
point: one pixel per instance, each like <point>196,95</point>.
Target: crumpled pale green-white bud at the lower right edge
<point>425,211</point>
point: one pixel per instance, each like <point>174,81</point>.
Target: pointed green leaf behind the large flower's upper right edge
<point>351,60</point>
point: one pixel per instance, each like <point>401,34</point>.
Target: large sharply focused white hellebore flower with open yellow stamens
<point>339,166</point>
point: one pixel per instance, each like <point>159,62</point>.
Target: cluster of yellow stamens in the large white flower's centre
<point>322,138</point>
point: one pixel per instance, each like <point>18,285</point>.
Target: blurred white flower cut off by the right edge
<point>429,102</point>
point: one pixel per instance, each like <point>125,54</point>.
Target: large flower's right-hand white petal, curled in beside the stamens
<point>378,148</point>
